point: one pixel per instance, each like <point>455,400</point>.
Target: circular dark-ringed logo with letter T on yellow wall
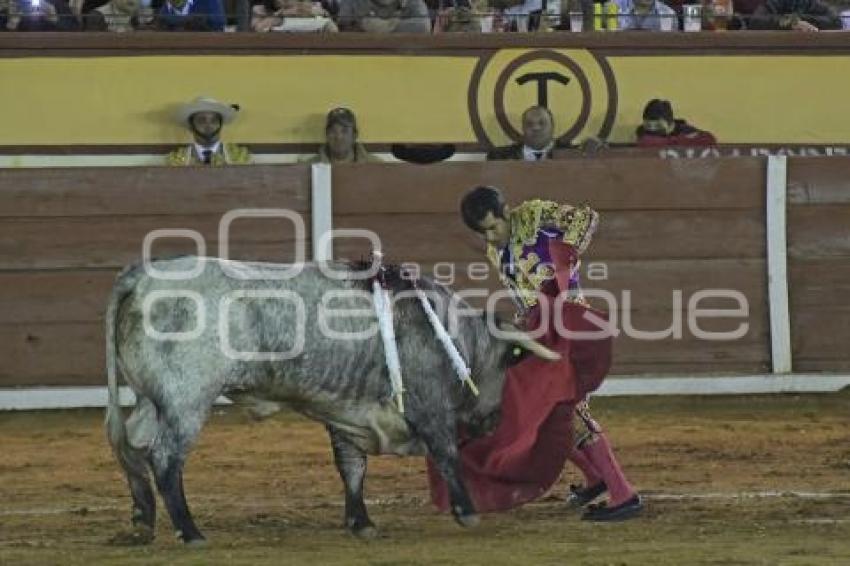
<point>576,85</point>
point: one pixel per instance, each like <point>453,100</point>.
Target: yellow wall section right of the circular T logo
<point>776,99</point>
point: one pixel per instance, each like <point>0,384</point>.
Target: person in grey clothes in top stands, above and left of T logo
<point>384,16</point>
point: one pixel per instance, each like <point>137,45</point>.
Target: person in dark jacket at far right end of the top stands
<point>795,15</point>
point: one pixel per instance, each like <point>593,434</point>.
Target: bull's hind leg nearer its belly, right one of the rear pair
<point>167,458</point>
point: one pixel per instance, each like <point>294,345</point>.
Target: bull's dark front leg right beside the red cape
<point>441,440</point>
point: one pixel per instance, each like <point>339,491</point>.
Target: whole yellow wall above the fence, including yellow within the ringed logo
<point>130,100</point>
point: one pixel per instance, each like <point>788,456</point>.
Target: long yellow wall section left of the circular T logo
<point>284,99</point>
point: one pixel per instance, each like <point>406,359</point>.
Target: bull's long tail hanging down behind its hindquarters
<point>131,459</point>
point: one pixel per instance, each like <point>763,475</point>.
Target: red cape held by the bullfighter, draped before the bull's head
<point>525,455</point>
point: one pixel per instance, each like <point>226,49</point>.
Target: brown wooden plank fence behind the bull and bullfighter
<point>668,227</point>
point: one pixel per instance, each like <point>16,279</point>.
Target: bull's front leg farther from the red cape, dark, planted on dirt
<point>351,464</point>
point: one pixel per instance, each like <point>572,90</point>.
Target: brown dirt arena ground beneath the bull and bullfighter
<point>732,480</point>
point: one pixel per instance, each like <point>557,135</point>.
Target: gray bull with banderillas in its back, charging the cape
<point>340,382</point>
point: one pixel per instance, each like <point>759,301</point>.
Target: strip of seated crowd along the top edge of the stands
<point>420,16</point>
